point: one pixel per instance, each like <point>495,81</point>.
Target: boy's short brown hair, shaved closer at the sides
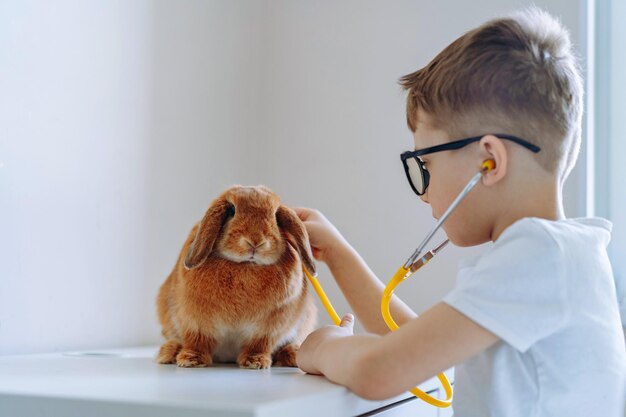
<point>515,75</point>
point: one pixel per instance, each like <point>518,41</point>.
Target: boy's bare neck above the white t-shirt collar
<point>545,204</point>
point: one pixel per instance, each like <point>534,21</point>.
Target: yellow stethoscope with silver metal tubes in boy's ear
<point>412,265</point>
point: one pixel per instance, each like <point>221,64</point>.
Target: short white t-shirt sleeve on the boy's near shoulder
<point>517,289</point>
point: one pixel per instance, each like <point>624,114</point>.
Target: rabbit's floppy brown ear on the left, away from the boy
<point>208,231</point>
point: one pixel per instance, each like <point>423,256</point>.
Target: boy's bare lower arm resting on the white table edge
<point>376,367</point>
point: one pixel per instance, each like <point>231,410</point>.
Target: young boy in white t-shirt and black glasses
<point>532,325</point>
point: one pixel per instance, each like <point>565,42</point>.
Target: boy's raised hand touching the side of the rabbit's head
<point>323,235</point>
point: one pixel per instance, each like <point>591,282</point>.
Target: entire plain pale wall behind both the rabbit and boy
<point>121,121</point>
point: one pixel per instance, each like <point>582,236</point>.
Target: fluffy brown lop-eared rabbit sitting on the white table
<point>238,292</point>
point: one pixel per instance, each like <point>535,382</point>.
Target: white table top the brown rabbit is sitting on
<point>127,382</point>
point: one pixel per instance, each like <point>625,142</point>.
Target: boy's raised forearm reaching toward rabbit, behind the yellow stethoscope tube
<point>364,290</point>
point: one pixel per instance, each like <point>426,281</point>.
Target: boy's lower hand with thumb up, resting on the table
<point>307,356</point>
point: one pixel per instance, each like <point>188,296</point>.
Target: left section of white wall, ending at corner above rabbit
<point>119,123</point>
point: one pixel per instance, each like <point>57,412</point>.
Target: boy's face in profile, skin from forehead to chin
<point>449,172</point>
